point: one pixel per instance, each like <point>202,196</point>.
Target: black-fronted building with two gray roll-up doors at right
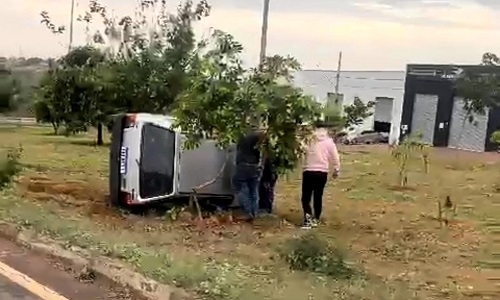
<point>432,108</point>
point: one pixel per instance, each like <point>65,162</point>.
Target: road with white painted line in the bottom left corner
<point>25,275</point>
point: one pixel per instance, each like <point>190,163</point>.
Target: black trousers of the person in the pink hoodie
<point>313,185</point>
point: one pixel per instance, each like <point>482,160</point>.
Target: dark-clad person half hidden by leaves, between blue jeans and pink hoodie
<point>266,187</point>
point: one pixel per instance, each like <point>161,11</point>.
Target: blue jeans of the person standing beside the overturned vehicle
<point>246,186</point>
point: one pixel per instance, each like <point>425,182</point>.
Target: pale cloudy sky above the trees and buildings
<point>372,34</point>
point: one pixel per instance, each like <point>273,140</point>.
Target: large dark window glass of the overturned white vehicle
<point>156,174</point>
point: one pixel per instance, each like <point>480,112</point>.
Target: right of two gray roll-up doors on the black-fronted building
<point>465,135</point>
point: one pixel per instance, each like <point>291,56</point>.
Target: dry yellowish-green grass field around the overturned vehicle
<point>387,233</point>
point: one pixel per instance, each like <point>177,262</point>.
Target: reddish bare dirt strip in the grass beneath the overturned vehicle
<point>89,198</point>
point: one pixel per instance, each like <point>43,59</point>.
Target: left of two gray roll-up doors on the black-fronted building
<point>424,116</point>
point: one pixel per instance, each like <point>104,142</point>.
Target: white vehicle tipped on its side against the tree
<point>148,163</point>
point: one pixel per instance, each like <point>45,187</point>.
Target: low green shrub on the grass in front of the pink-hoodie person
<point>311,253</point>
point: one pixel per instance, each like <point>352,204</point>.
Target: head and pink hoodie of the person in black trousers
<point>321,152</point>
